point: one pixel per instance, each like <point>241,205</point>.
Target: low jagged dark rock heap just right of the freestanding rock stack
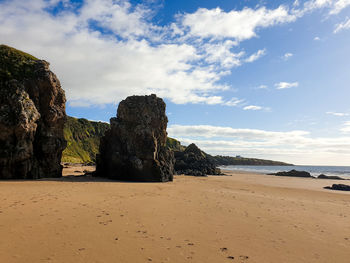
<point>192,161</point>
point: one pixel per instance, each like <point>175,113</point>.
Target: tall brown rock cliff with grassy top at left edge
<point>32,117</point>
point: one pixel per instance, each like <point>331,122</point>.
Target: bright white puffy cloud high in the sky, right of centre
<point>239,25</point>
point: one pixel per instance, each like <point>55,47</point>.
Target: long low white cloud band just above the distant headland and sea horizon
<point>288,146</point>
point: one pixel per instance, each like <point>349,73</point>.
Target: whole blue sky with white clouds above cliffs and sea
<point>263,79</point>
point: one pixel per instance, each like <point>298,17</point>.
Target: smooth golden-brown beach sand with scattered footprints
<point>241,218</point>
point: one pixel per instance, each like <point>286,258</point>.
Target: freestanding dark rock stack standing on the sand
<point>134,148</point>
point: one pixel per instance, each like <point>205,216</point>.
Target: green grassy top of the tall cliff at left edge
<point>15,64</point>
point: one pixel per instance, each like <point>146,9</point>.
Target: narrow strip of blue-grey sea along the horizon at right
<point>342,171</point>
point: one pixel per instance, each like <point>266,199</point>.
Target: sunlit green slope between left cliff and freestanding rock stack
<point>83,140</point>
